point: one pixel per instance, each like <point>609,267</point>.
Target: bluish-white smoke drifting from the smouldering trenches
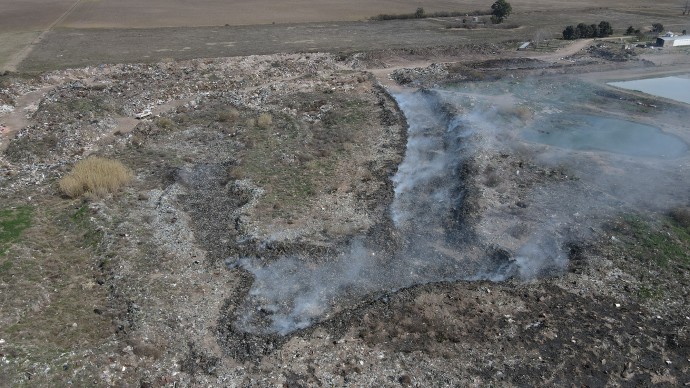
<point>293,292</point>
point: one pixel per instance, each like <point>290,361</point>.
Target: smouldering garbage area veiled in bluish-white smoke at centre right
<point>450,222</point>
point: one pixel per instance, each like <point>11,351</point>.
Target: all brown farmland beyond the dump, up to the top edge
<point>25,25</point>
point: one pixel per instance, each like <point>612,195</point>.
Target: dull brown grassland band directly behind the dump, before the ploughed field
<point>64,45</point>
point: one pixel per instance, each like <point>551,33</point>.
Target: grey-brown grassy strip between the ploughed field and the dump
<point>69,47</point>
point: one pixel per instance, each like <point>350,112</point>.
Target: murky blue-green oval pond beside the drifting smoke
<point>594,133</point>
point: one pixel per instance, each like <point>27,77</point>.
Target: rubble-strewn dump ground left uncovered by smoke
<point>268,157</point>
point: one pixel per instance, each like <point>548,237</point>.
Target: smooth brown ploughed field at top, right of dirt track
<point>158,13</point>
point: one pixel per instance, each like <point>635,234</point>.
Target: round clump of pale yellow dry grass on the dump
<point>95,176</point>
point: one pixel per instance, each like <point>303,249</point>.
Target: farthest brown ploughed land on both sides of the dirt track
<point>132,14</point>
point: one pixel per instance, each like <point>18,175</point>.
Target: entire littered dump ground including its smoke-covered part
<point>293,222</point>
